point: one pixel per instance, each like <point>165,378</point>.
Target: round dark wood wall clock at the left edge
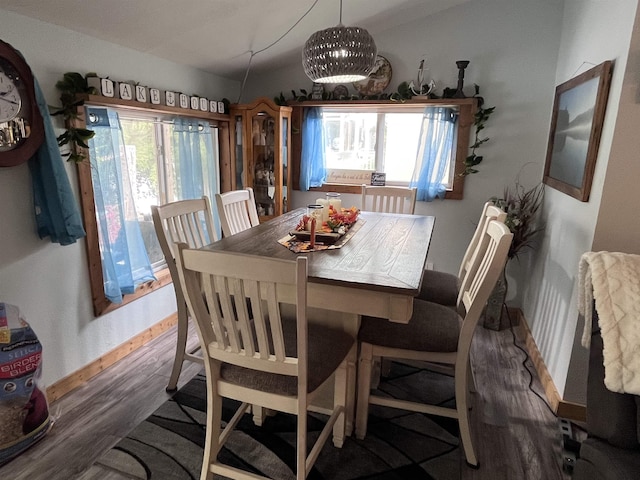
<point>21,127</point>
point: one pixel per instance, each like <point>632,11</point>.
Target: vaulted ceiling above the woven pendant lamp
<point>218,36</point>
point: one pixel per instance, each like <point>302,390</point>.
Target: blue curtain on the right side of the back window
<point>434,152</point>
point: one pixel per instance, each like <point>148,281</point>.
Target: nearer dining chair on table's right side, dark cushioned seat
<point>435,333</point>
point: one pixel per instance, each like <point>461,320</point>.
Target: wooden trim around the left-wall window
<point>101,304</point>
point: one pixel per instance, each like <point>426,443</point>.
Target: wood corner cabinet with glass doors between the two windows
<point>261,136</point>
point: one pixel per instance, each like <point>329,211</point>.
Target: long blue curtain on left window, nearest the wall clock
<point>125,263</point>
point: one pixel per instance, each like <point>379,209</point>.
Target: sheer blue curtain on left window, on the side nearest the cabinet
<point>196,162</point>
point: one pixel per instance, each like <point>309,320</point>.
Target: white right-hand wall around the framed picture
<point>592,33</point>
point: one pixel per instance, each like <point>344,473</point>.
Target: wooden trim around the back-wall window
<point>467,106</point>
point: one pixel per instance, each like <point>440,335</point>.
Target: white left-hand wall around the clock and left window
<point>48,282</point>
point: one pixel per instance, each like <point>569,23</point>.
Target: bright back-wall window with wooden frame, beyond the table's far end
<point>365,137</point>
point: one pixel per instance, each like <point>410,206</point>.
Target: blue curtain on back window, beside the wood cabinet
<point>312,164</point>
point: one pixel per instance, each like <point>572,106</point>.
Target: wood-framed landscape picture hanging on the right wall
<point>576,125</point>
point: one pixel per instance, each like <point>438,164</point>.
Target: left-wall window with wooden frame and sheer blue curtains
<point>139,158</point>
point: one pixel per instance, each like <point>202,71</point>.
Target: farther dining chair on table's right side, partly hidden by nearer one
<point>444,288</point>
